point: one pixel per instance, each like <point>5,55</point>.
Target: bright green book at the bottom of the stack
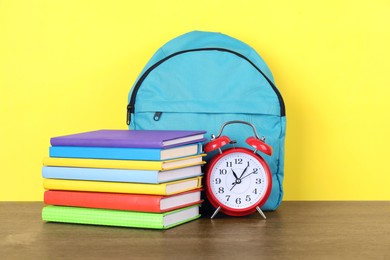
<point>120,218</point>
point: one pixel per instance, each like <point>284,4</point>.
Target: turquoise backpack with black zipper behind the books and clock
<point>199,81</point>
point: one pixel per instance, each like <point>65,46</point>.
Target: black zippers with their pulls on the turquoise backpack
<point>131,108</point>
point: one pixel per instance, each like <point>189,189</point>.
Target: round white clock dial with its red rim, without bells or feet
<point>239,180</point>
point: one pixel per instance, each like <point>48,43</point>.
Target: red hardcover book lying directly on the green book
<point>121,201</point>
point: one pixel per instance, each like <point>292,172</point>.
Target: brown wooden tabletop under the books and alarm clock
<point>297,230</point>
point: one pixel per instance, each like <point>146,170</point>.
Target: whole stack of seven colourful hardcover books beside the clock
<point>139,178</point>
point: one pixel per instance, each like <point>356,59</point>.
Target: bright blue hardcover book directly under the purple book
<point>119,153</point>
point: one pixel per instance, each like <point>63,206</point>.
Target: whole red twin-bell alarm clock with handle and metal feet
<point>238,180</point>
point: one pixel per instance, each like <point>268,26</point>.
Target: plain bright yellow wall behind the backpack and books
<point>67,66</point>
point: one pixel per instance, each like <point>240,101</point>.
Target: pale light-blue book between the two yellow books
<point>119,175</point>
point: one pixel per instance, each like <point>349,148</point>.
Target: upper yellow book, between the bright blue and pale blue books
<point>125,164</point>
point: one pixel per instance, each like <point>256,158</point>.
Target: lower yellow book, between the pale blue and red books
<point>167,188</point>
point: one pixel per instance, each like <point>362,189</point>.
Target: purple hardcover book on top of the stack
<point>131,138</point>
